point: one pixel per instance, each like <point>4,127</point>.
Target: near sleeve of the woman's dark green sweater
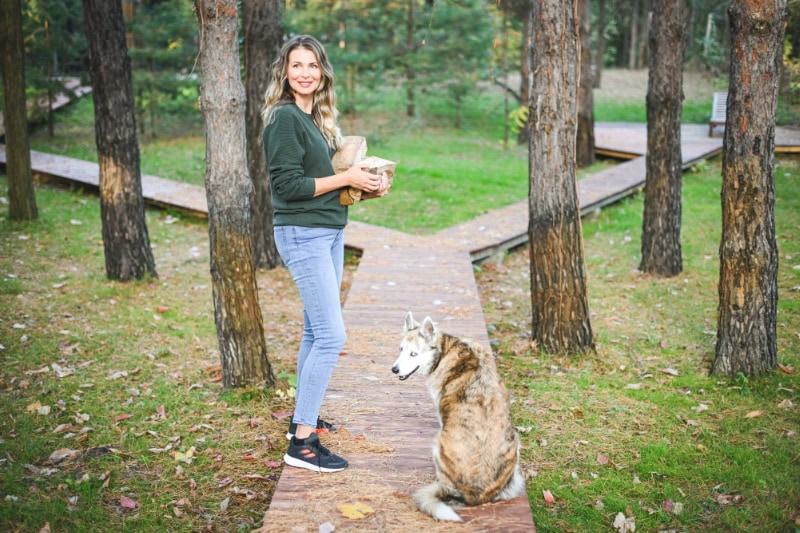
<point>284,148</point>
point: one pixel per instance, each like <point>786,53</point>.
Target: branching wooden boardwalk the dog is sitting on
<point>388,425</point>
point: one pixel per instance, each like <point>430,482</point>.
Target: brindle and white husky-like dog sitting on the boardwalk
<point>476,452</point>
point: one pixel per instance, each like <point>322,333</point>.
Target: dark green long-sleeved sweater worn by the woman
<point>297,153</point>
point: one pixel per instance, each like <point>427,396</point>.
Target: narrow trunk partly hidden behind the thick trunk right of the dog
<point>584,144</point>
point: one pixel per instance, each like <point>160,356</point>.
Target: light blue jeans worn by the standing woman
<point>315,258</point>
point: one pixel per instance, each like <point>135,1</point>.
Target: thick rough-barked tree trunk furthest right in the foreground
<point>748,286</point>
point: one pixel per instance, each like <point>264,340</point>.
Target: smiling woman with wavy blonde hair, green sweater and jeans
<point>300,137</point>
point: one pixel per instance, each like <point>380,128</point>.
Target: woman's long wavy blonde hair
<point>323,110</point>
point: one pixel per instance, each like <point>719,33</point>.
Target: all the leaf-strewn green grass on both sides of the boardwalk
<point>139,396</point>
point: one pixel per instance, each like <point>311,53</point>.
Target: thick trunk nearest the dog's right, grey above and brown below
<point>558,279</point>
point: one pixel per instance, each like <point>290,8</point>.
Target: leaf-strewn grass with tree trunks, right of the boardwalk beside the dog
<point>614,431</point>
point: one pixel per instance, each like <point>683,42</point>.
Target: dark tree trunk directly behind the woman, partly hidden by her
<point>263,36</point>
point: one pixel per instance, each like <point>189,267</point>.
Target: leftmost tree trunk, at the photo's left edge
<point>21,194</point>
